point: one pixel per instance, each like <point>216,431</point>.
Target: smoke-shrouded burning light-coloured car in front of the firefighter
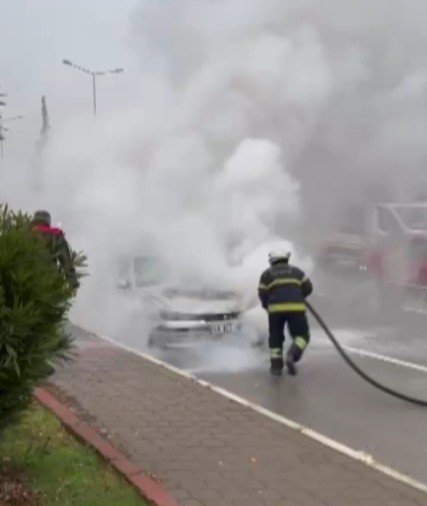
<point>177,315</point>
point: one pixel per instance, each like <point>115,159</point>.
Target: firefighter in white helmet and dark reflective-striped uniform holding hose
<point>282,291</point>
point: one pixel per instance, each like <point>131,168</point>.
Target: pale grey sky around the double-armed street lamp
<point>36,35</point>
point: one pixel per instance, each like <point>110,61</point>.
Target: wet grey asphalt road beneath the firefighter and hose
<point>329,397</point>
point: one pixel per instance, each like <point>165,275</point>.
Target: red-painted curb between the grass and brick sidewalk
<point>146,486</point>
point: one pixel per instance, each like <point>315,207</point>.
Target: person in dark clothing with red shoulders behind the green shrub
<point>57,245</point>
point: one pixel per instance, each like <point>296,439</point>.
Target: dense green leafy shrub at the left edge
<point>34,303</point>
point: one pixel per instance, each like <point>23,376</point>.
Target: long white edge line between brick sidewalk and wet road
<point>360,456</point>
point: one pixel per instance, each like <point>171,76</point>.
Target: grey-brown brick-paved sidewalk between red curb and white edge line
<point>209,450</point>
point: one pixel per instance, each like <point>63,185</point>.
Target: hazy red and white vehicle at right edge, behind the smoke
<point>388,244</point>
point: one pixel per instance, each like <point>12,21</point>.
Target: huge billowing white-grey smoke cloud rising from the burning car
<point>251,116</point>
